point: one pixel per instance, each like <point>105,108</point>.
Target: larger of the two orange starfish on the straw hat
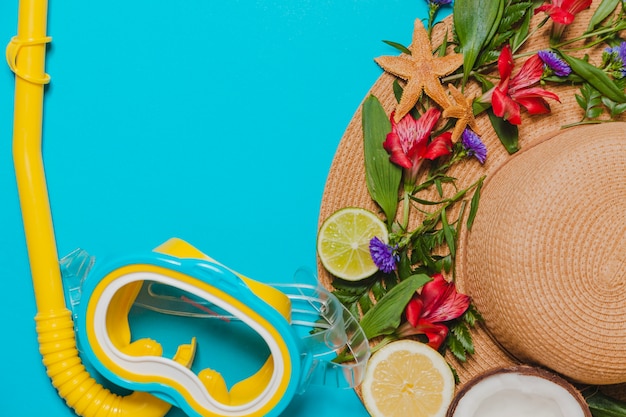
<point>421,70</point>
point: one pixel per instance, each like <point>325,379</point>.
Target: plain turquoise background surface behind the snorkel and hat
<point>213,121</point>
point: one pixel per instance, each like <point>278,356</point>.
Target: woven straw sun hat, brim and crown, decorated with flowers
<point>545,262</point>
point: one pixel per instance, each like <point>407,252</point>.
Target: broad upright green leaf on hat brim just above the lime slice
<point>382,176</point>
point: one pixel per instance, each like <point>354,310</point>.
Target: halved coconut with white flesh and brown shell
<point>520,391</point>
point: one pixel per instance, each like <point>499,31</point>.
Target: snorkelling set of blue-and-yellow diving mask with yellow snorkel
<point>303,327</point>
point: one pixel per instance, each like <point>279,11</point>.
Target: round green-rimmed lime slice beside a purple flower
<point>343,242</point>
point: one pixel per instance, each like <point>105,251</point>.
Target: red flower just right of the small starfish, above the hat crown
<point>512,92</point>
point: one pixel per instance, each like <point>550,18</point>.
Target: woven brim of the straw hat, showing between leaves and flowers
<point>346,185</point>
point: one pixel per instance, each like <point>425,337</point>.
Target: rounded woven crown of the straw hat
<point>545,262</point>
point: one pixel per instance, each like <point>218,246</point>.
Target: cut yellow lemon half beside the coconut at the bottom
<point>407,378</point>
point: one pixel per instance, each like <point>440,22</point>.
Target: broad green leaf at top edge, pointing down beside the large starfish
<point>475,30</point>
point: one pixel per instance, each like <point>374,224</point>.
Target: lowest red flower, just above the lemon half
<point>437,303</point>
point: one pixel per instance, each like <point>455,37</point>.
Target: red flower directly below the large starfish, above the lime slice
<point>408,144</point>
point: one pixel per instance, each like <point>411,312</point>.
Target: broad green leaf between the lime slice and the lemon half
<point>385,316</point>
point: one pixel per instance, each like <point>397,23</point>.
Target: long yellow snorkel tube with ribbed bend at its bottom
<point>57,340</point>
